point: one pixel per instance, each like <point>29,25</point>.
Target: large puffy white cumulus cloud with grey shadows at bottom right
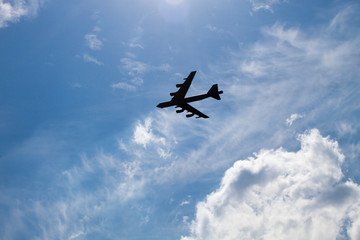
<point>283,195</point>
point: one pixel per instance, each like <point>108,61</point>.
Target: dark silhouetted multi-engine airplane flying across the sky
<point>180,101</point>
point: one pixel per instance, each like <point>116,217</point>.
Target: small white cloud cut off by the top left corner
<point>12,11</point>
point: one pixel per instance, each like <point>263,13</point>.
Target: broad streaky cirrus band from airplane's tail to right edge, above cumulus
<point>293,78</point>
